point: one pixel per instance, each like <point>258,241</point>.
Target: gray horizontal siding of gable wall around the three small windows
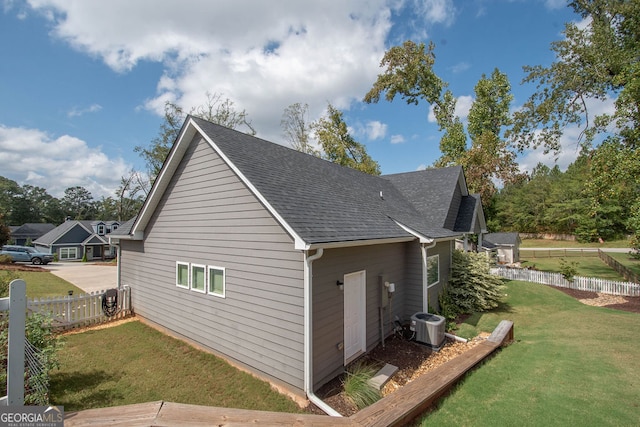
<point>208,216</point>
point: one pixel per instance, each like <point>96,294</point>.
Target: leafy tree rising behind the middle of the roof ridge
<point>339,146</point>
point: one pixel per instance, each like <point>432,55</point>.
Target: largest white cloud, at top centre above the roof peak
<point>262,55</point>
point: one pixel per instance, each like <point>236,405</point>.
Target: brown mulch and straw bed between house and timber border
<point>411,358</point>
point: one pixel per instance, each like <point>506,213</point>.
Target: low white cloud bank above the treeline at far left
<point>30,156</point>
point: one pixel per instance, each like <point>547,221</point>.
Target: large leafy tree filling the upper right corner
<point>597,61</point>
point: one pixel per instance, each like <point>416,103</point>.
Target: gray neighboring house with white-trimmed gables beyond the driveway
<point>72,239</point>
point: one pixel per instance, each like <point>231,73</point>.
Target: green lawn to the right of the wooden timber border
<point>571,364</point>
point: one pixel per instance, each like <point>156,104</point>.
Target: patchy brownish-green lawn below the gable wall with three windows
<point>133,363</point>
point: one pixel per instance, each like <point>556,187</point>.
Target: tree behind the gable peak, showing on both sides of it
<point>216,110</point>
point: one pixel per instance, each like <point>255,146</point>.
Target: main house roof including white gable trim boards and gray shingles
<point>317,202</point>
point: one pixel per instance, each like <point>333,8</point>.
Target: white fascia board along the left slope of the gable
<point>162,180</point>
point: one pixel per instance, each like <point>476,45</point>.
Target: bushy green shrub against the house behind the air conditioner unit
<point>471,288</point>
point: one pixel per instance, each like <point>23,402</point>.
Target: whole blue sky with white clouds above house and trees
<point>82,82</point>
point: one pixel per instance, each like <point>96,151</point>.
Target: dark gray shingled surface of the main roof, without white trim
<point>325,202</point>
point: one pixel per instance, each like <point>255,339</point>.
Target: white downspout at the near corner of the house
<point>308,341</point>
